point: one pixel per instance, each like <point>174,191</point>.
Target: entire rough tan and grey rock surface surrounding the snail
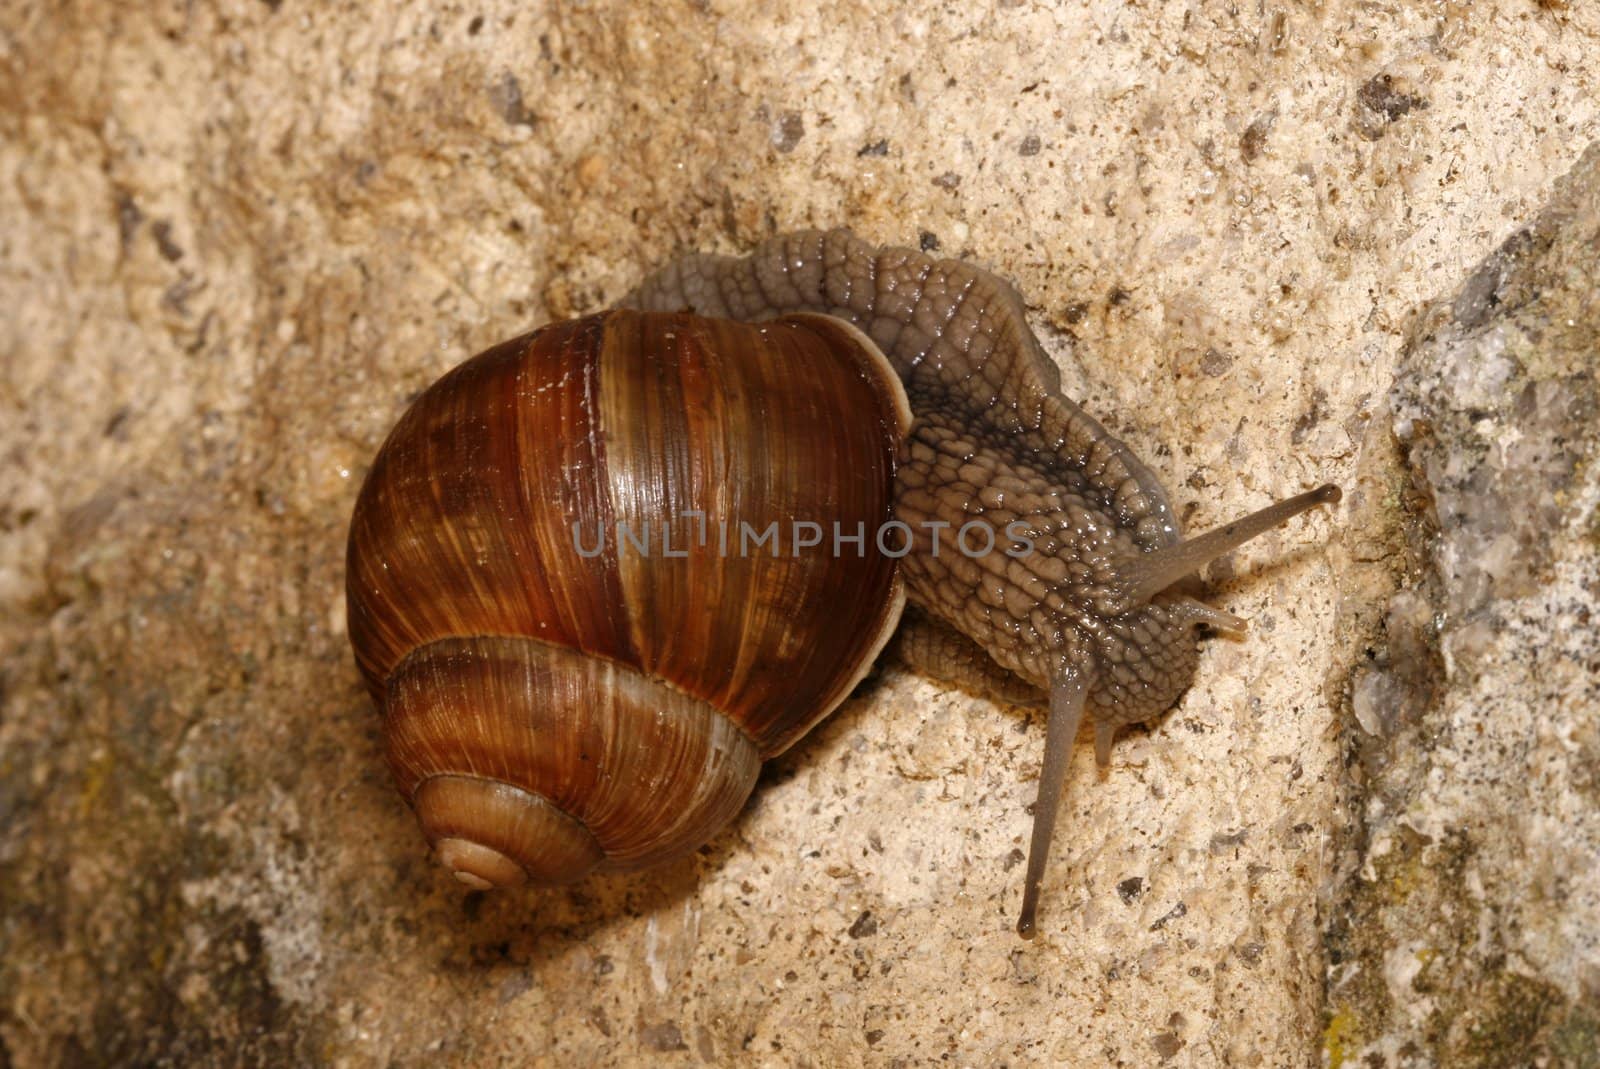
<point>241,236</point>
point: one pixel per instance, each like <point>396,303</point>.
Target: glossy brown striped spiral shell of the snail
<point>561,598</point>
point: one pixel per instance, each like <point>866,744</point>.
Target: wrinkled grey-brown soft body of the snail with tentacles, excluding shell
<point>1086,615</point>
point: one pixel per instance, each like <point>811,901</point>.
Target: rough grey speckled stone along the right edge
<point>1470,934</point>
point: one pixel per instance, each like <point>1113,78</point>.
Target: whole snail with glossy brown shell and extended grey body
<point>550,711</point>
